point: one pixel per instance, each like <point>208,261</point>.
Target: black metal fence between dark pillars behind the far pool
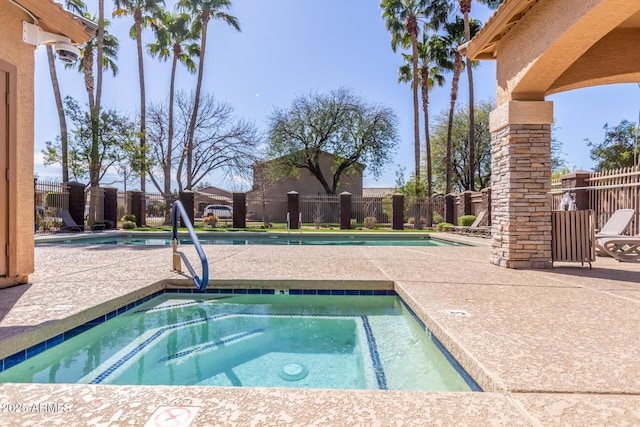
<point>315,210</point>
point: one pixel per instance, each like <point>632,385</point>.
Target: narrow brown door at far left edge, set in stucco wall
<point>4,166</point>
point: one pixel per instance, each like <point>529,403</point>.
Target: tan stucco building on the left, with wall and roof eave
<point>17,124</point>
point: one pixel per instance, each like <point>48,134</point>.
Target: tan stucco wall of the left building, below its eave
<point>20,56</point>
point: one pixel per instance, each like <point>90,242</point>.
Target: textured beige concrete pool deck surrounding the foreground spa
<point>553,347</point>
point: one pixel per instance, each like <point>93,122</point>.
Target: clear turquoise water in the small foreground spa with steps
<point>345,342</point>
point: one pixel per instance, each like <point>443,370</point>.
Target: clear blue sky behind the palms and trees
<point>288,48</point>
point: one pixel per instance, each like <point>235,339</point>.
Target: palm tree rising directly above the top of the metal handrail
<point>175,40</point>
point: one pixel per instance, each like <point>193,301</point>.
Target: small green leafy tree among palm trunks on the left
<point>115,138</point>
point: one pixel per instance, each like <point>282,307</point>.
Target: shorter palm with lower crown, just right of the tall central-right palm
<point>433,62</point>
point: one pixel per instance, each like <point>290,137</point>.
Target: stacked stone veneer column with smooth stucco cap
<point>520,182</point>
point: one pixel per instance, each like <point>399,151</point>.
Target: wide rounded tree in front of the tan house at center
<point>338,123</point>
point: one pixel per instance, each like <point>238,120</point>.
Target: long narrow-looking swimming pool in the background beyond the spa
<point>290,239</point>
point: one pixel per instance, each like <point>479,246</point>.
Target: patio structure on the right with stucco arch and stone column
<point>544,47</point>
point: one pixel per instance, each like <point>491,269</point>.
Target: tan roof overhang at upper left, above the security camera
<point>52,17</point>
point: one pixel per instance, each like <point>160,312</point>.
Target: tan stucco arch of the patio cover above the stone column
<point>552,37</point>
